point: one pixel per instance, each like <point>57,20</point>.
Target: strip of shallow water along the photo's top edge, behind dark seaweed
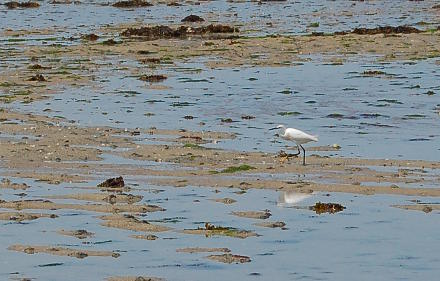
<point>290,17</point>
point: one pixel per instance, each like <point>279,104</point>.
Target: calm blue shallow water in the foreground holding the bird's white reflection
<point>368,239</point>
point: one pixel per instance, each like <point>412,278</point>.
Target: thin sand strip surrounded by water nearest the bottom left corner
<point>59,251</point>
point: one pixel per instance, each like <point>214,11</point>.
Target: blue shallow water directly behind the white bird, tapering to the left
<point>385,116</point>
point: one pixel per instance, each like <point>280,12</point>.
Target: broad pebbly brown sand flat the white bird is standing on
<point>193,165</point>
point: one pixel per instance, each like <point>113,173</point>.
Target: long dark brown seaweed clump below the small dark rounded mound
<point>163,31</point>
